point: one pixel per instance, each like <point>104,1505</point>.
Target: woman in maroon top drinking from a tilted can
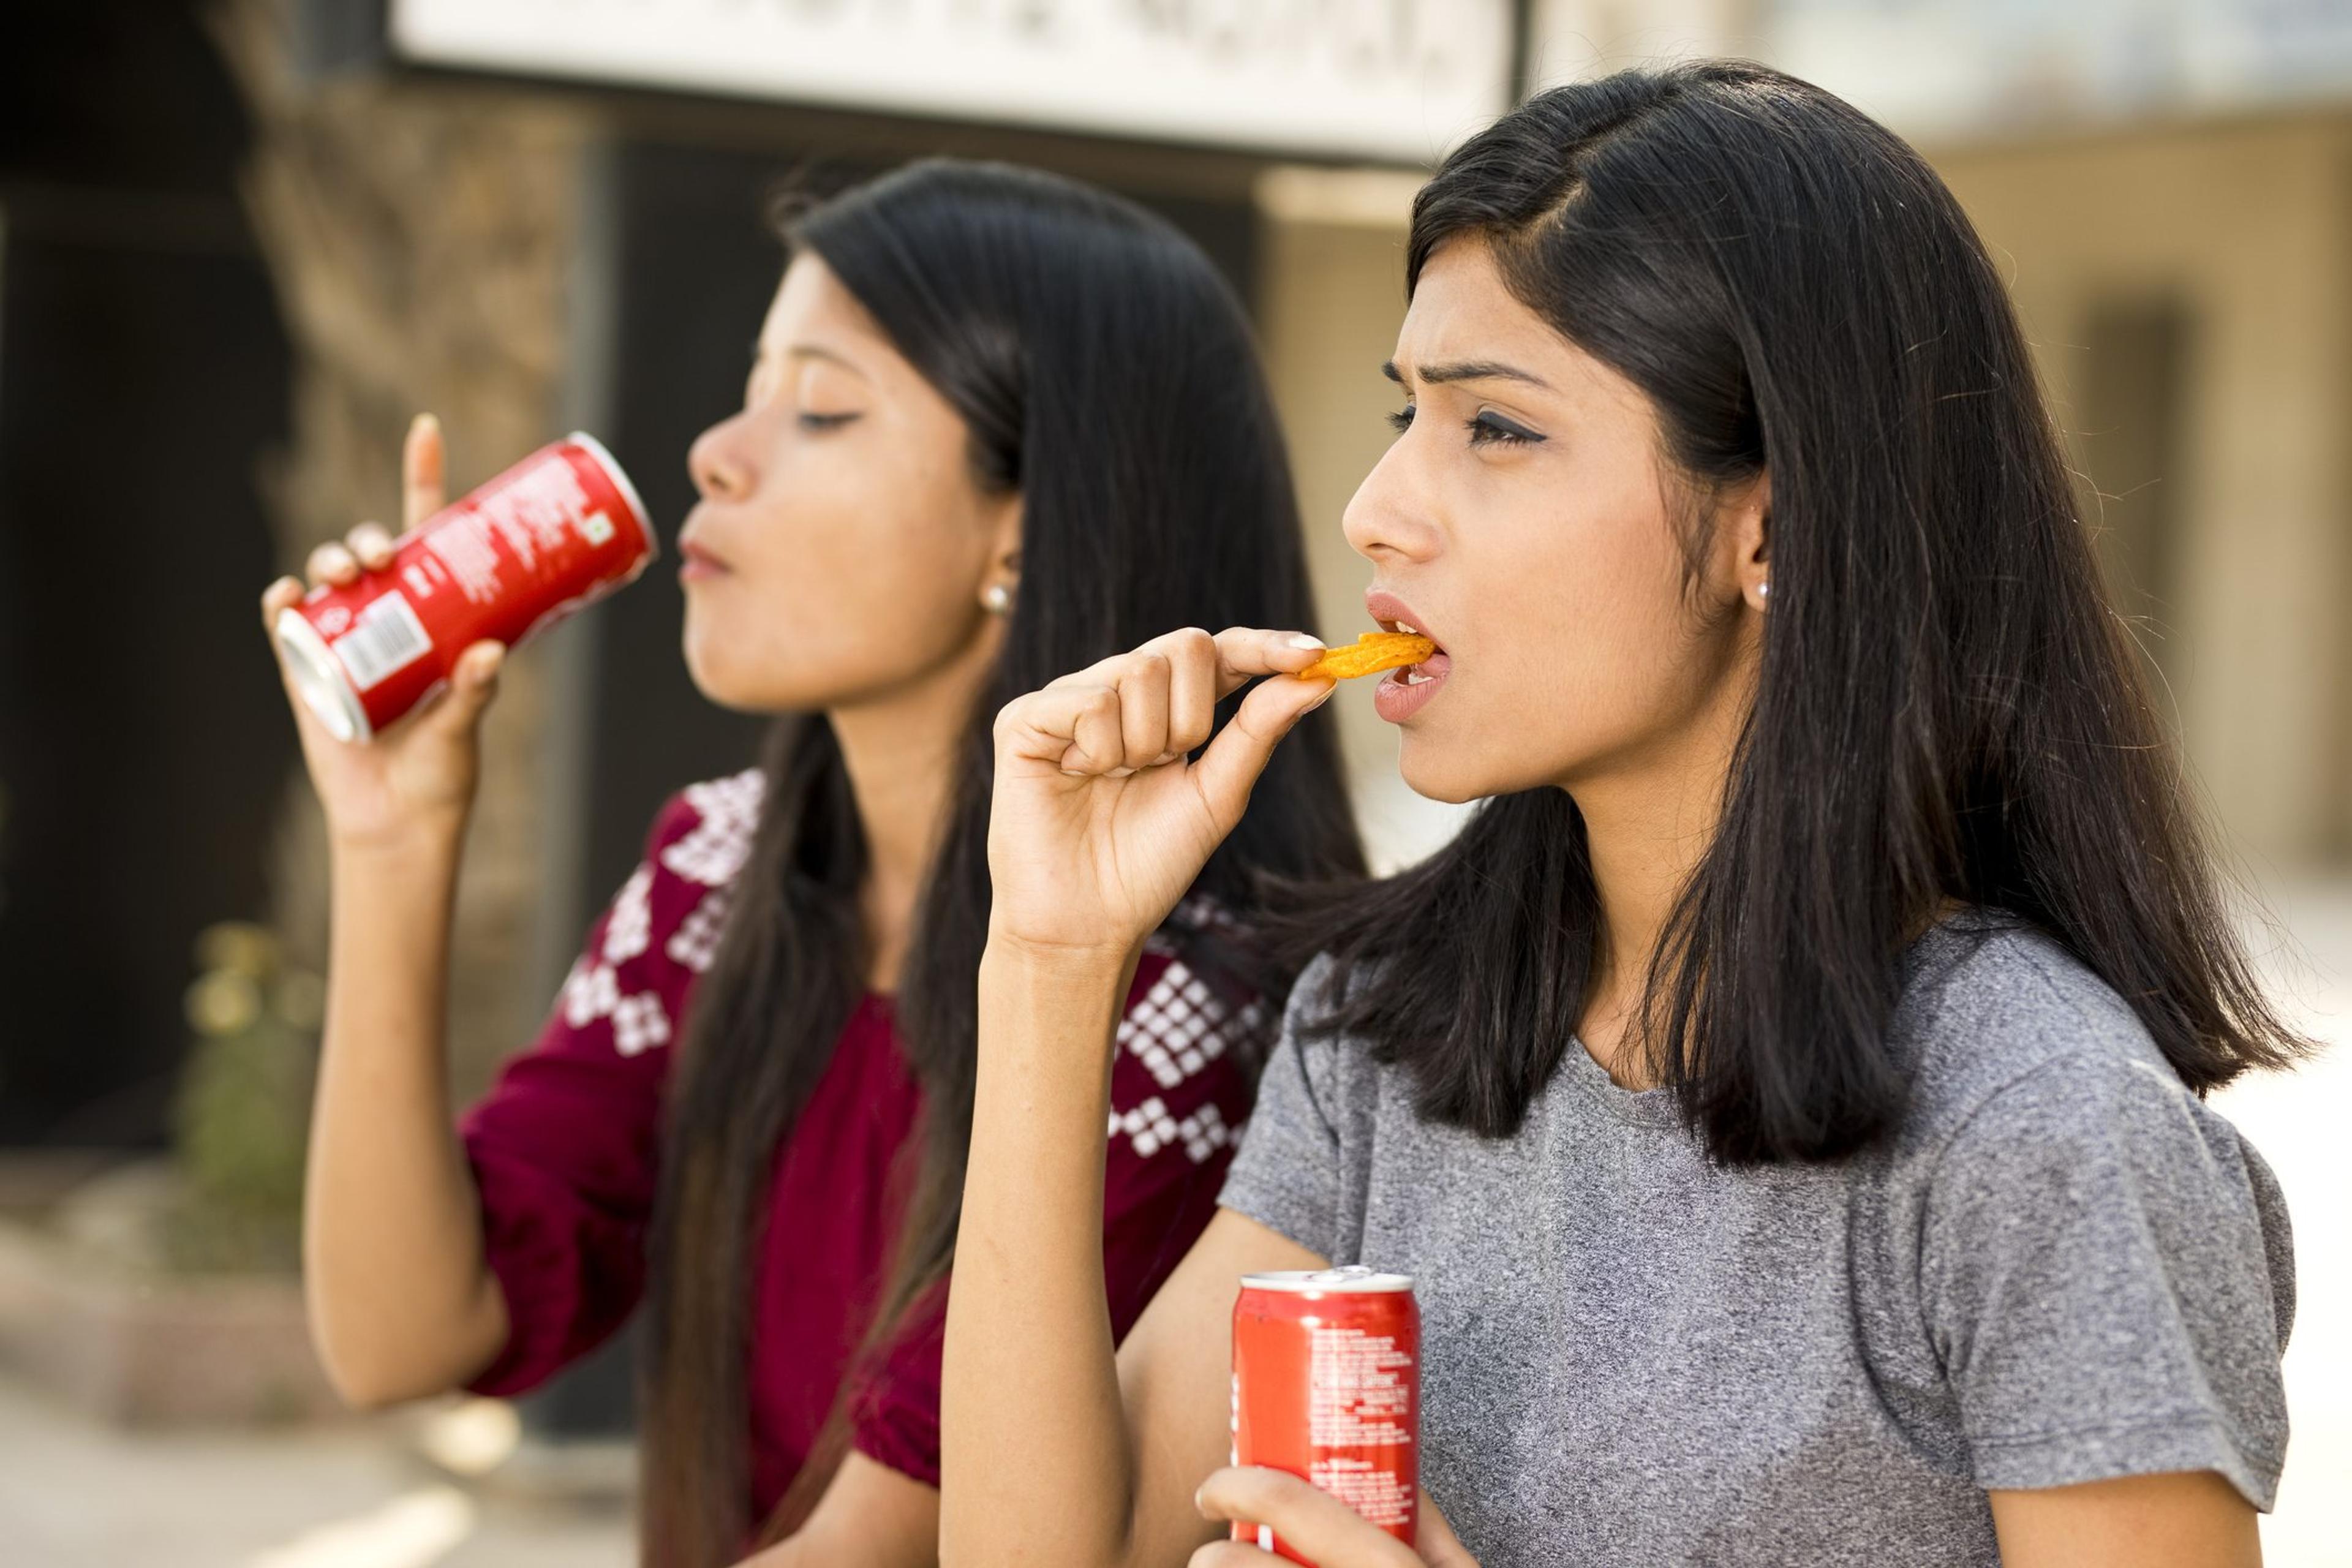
<point>998,427</point>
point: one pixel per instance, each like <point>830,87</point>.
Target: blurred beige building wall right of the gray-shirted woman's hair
<point>2247,227</point>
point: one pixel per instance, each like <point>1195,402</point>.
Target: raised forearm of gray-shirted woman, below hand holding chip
<point>1031,1426</point>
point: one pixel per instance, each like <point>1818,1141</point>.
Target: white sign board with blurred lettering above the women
<point>1396,81</point>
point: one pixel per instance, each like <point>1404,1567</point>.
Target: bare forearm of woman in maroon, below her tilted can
<point>401,1296</point>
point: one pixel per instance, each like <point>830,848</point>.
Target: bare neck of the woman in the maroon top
<point>900,753</point>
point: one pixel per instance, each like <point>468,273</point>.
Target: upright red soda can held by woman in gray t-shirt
<point>1328,1386</point>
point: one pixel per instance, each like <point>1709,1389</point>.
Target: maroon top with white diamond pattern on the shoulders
<point>566,1158</point>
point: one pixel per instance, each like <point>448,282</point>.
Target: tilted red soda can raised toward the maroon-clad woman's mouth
<point>559,530</point>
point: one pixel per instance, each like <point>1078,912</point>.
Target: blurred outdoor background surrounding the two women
<point>243,241</point>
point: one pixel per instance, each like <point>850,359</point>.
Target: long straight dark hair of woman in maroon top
<point>1107,375</point>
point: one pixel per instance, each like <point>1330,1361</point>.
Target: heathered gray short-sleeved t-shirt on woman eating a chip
<point>2062,1268</point>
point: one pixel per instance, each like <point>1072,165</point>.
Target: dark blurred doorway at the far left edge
<point>145,749</point>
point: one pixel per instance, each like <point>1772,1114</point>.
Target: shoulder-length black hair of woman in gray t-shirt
<point>1946,709</point>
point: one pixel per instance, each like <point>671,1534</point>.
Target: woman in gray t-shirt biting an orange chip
<point>1786,1092</point>
